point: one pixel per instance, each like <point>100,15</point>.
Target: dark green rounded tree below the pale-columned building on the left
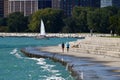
<point>17,22</point>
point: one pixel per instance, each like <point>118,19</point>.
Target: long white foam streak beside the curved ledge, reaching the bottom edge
<point>49,68</point>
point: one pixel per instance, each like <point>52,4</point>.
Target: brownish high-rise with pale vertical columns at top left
<point>26,6</point>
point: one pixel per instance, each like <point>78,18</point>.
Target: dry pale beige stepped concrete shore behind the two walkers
<point>104,50</point>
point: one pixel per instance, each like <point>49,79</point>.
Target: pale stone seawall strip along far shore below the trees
<point>51,34</point>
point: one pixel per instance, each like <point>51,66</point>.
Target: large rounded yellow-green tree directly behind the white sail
<point>51,17</point>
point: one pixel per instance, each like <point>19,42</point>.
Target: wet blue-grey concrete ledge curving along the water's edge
<point>80,67</point>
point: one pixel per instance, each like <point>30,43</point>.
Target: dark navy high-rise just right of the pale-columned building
<point>44,4</point>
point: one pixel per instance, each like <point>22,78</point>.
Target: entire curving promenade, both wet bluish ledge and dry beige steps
<point>97,57</point>
